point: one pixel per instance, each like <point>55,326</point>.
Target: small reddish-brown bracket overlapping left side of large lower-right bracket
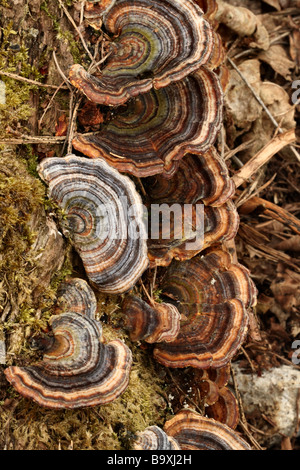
<point>159,322</point>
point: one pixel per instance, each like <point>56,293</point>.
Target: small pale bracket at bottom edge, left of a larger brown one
<point>154,438</point>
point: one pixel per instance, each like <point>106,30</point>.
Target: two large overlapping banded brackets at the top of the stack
<point>162,56</point>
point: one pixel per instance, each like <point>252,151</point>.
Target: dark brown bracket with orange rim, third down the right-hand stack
<point>199,177</point>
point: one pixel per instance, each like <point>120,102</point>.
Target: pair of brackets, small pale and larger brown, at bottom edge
<point>189,430</point>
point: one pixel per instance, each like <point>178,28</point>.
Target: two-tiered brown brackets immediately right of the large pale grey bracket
<point>200,199</point>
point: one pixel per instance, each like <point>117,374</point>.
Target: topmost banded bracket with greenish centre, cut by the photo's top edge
<point>154,43</point>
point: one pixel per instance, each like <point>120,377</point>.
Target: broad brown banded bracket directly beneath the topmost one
<point>152,133</point>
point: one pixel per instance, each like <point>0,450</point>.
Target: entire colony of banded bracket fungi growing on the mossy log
<point>163,85</point>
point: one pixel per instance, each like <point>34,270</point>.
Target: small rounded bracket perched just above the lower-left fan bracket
<point>75,295</point>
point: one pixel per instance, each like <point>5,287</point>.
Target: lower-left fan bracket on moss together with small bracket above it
<point>78,369</point>
